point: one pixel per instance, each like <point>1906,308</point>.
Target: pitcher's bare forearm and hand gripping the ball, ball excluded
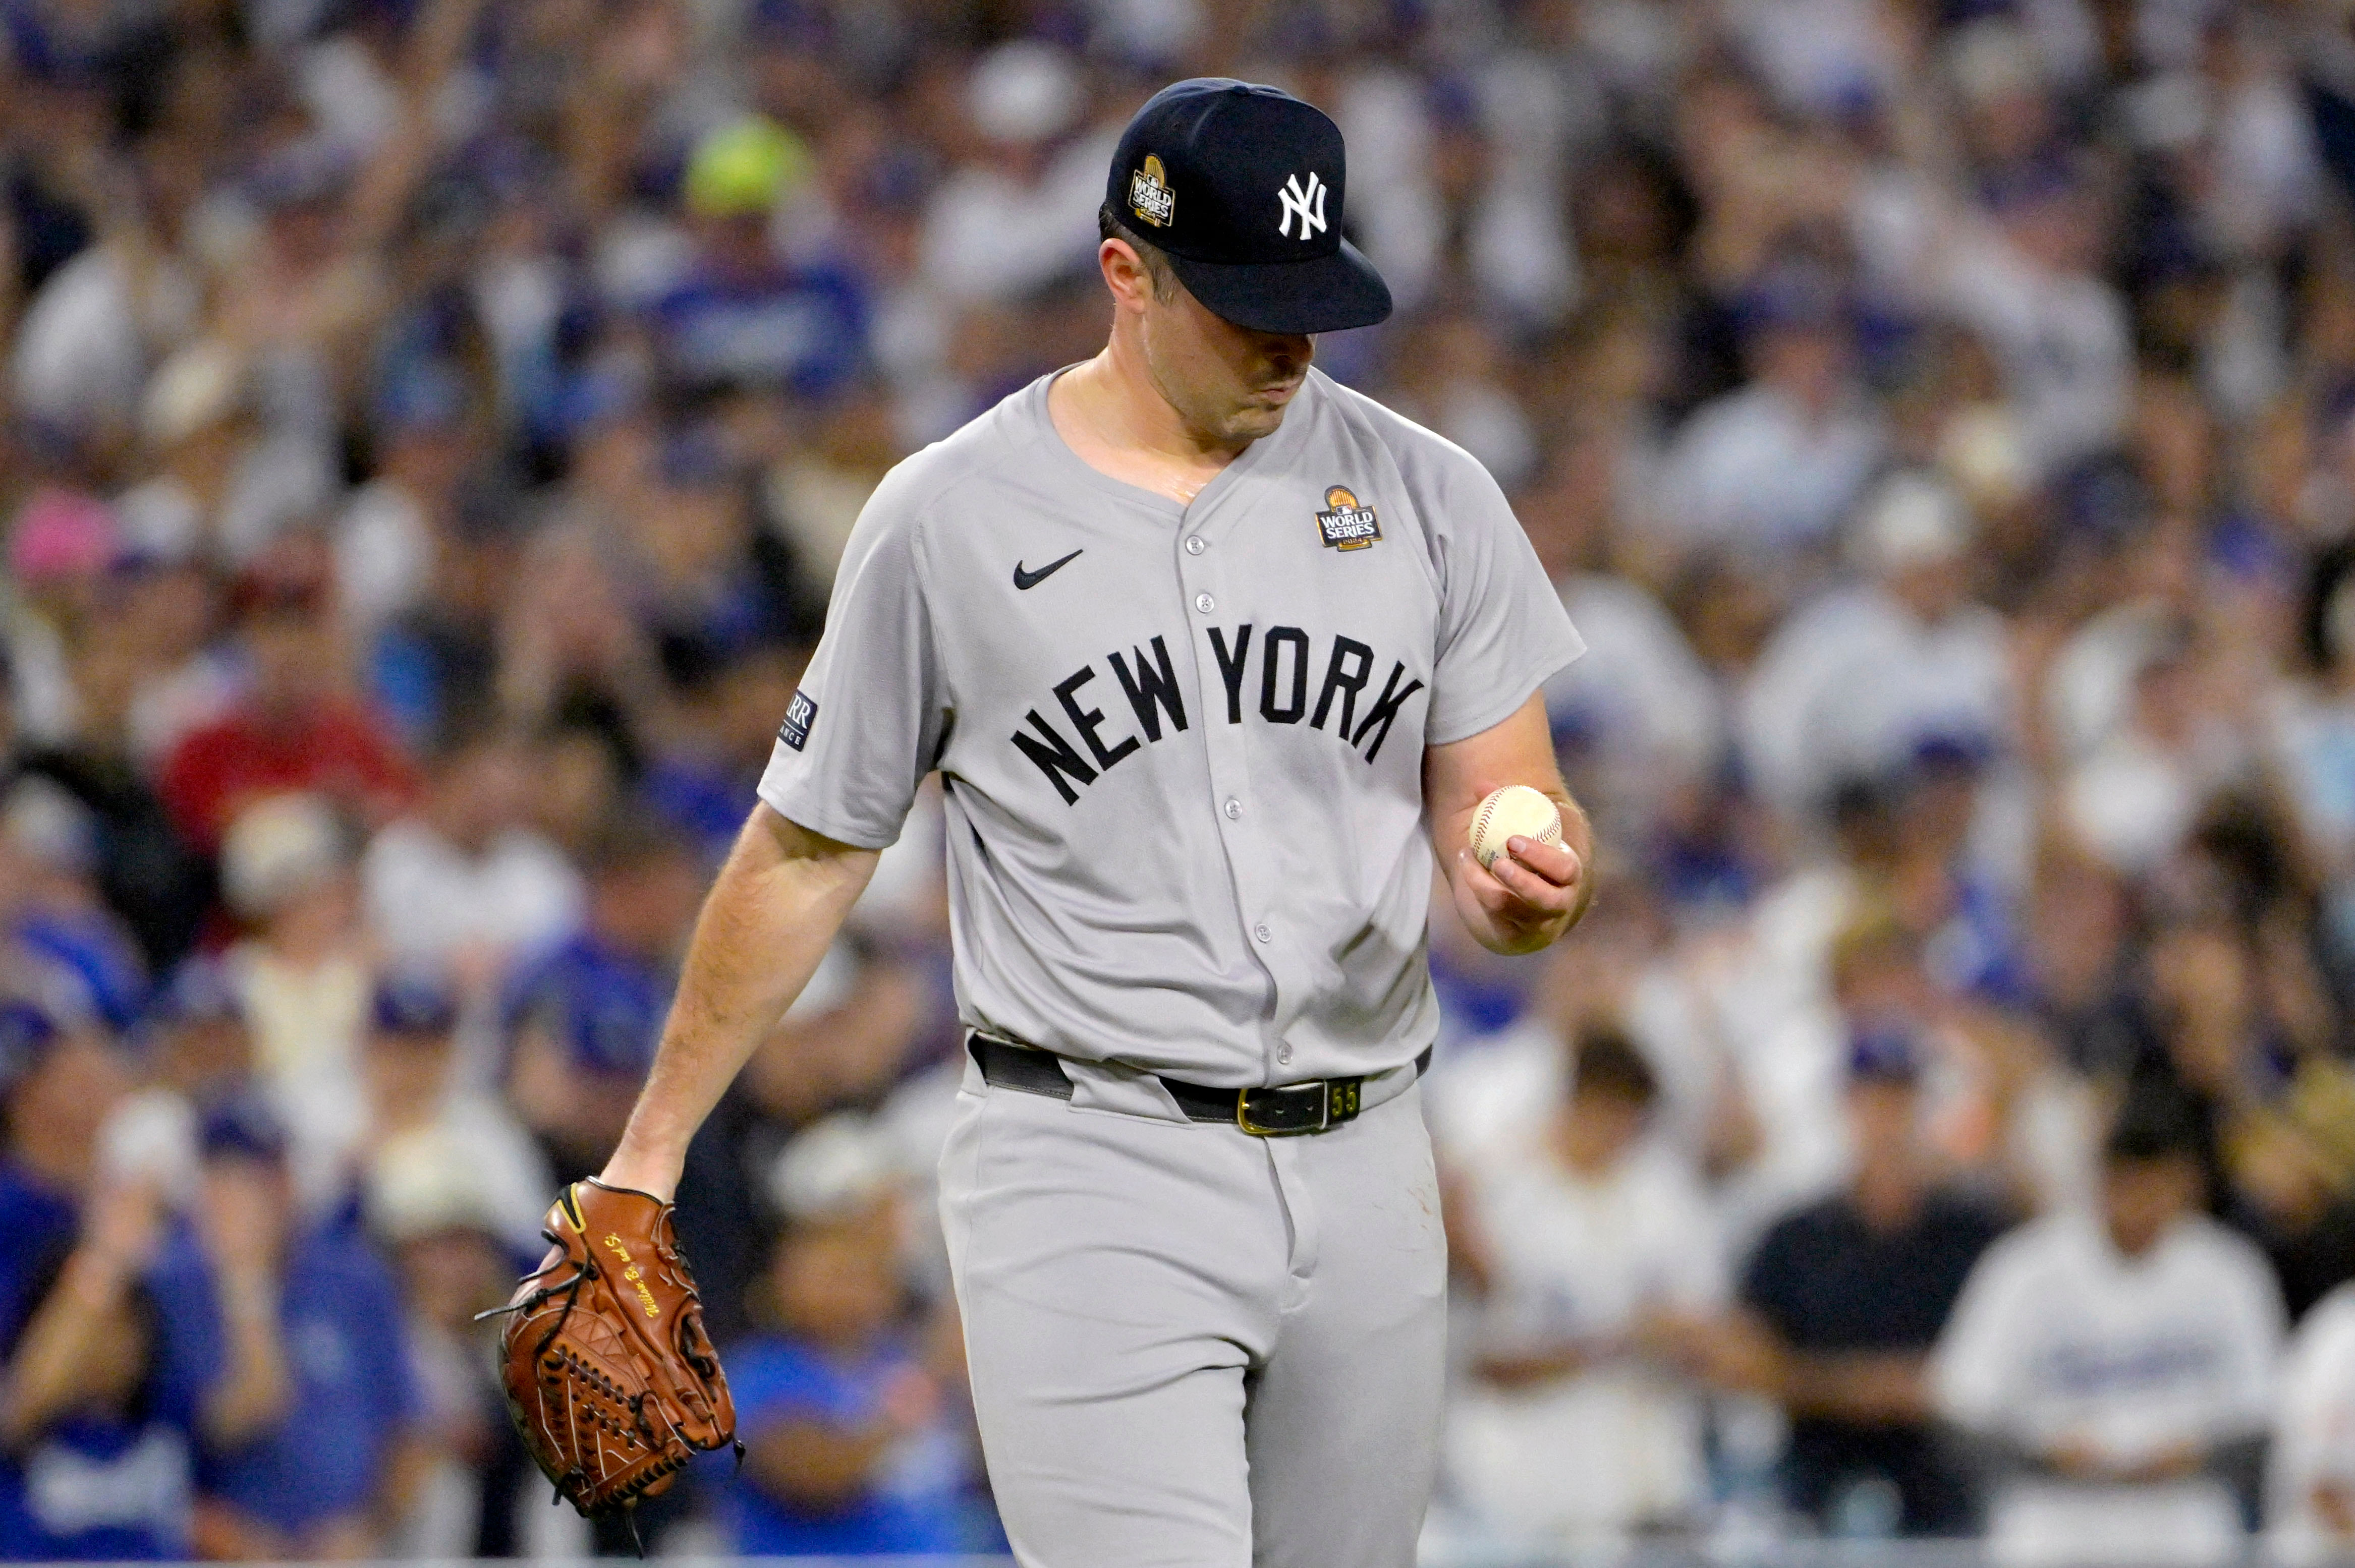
<point>1532,893</point>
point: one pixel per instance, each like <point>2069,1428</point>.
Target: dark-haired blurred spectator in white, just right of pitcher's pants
<point>1598,1277</point>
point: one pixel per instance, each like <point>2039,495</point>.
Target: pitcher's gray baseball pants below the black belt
<point>1193,1348</point>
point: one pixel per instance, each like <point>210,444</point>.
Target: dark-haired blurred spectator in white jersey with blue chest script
<point>2121,1364</point>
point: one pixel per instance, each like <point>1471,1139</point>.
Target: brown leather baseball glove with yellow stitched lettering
<point>606,1364</point>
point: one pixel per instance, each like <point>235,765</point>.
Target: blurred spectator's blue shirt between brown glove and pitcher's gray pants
<point>917,1506</point>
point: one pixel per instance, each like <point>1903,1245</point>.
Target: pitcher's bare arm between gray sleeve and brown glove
<point>767,924</point>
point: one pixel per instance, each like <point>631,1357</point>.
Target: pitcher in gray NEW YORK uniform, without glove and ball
<point>1212,656</point>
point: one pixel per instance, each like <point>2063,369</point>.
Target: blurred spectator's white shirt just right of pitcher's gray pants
<point>1584,1261</point>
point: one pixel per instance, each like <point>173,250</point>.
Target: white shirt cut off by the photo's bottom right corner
<point>2314,1435</point>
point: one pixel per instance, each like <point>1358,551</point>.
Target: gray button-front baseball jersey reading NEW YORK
<point>1181,745</point>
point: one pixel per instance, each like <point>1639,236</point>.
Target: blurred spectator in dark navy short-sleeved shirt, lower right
<point>1843,1305</point>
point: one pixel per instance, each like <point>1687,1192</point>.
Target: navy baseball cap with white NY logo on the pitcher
<point>1245,190</point>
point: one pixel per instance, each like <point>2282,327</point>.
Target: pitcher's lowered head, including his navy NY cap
<point>1221,246</point>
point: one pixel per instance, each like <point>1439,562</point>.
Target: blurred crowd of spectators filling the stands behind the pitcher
<point>427,437</point>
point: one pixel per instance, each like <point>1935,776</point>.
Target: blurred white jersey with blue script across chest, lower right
<point>2059,1338</point>
